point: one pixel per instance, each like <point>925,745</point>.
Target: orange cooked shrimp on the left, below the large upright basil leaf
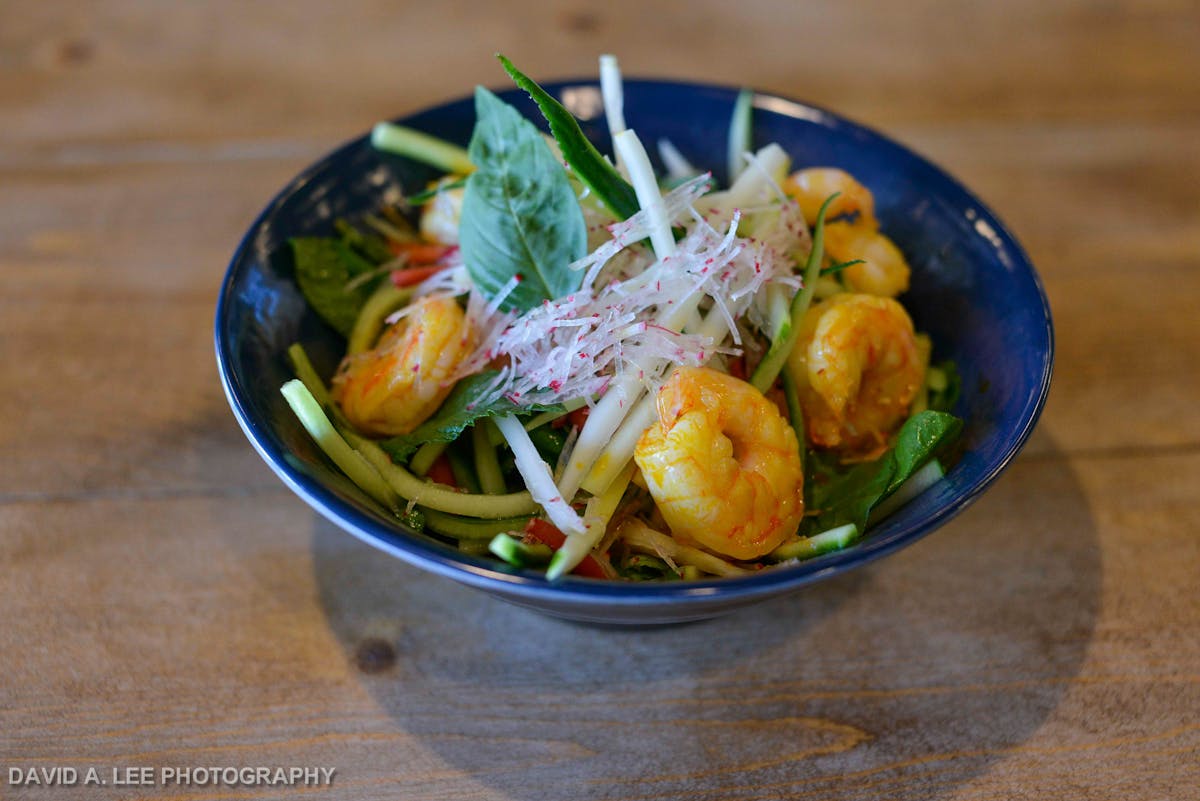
<point>397,387</point>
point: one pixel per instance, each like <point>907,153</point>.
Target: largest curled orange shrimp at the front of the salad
<point>723,465</point>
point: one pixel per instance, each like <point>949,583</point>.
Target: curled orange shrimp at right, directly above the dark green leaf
<point>859,368</point>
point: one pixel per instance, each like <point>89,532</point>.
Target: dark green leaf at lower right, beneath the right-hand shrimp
<point>850,497</point>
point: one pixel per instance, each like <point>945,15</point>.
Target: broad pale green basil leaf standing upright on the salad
<point>520,218</point>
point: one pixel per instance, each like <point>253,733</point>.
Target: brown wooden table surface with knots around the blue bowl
<point>166,603</point>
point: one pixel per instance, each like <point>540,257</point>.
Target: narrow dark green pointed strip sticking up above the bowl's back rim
<point>590,166</point>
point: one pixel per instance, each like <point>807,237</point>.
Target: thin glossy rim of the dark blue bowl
<point>442,559</point>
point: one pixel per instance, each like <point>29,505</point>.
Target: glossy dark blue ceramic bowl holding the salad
<point>975,292</point>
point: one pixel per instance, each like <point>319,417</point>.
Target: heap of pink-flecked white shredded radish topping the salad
<point>610,329</point>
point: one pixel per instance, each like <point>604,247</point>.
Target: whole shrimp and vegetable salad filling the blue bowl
<point>581,366</point>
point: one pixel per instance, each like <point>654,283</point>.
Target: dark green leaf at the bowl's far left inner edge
<point>325,268</point>
